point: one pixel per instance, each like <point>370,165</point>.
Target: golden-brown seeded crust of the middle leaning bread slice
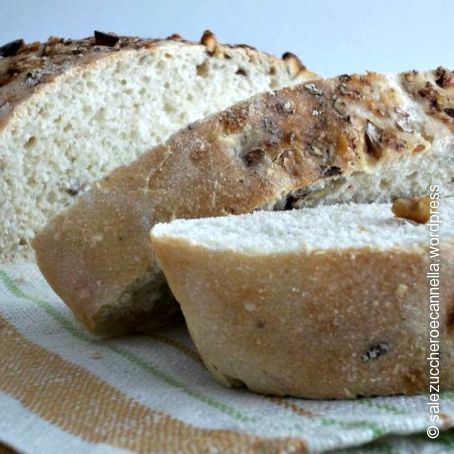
<point>245,158</point>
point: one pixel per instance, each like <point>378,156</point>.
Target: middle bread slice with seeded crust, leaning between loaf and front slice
<point>361,138</point>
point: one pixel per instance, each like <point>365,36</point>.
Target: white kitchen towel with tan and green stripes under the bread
<point>64,390</point>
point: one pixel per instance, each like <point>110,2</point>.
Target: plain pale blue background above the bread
<point>330,36</point>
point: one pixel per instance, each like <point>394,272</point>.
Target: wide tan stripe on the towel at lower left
<point>80,403</point>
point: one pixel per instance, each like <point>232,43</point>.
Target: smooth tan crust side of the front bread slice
<point>331,324</point>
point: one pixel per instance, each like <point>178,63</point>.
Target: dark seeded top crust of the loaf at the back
<point>26,68</point>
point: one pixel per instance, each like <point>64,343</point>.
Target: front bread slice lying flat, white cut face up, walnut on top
<point>327,302</point>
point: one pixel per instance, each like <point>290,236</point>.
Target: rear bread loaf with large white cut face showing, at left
<point>72,110</point>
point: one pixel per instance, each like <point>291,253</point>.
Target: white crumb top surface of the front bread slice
<point>309,229</point>
